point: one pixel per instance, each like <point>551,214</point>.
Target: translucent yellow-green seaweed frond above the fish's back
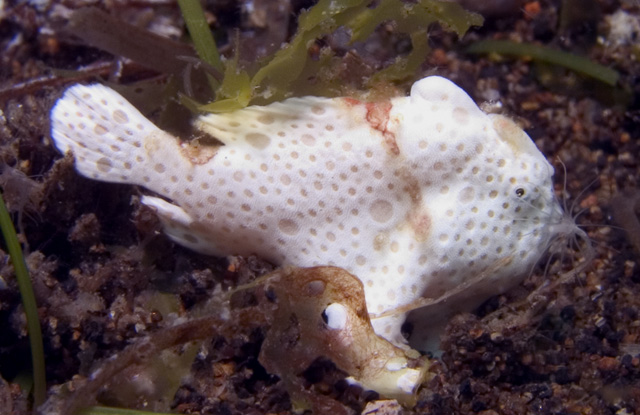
<point>286,73</point>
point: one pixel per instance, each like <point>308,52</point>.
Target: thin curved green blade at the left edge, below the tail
<point>29,304</point>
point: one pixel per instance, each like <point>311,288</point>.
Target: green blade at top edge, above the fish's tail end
<point>201,36</point>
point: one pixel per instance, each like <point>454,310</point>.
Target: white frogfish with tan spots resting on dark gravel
<point>414,195</point>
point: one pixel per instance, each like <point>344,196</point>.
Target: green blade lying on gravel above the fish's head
<point>576,63</point>
